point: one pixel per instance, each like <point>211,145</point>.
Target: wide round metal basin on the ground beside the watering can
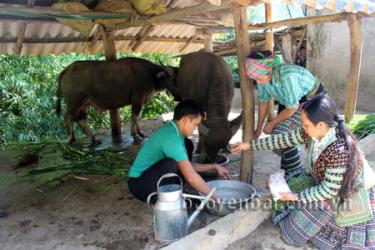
<point>232,194</point>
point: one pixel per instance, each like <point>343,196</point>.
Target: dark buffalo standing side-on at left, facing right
<point>109,85</point>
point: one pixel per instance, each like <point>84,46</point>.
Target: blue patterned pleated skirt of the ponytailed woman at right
<point>315,223</point>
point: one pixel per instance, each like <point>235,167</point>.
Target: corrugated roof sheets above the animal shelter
<point>169,38</point>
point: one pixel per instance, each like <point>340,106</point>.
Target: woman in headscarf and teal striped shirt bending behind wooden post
<point>290,85</point>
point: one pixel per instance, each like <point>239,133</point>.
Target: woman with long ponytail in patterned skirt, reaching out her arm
<point>335,165</point>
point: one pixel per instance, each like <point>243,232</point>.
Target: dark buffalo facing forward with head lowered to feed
<point>207,79</point>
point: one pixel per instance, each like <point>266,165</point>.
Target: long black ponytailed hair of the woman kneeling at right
<point>322,108</point>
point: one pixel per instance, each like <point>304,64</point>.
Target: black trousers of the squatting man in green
<point>145,184</point>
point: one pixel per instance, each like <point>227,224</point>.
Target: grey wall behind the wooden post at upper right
<point>328,56</point>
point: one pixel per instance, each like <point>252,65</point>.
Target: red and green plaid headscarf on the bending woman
<point>260,67</point>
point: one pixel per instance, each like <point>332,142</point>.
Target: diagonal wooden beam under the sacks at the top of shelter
<point>173,14</point>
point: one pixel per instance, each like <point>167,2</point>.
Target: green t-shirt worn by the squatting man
<point>166,142</point>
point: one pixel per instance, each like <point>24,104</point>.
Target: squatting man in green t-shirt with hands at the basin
<point>169,150</point>
